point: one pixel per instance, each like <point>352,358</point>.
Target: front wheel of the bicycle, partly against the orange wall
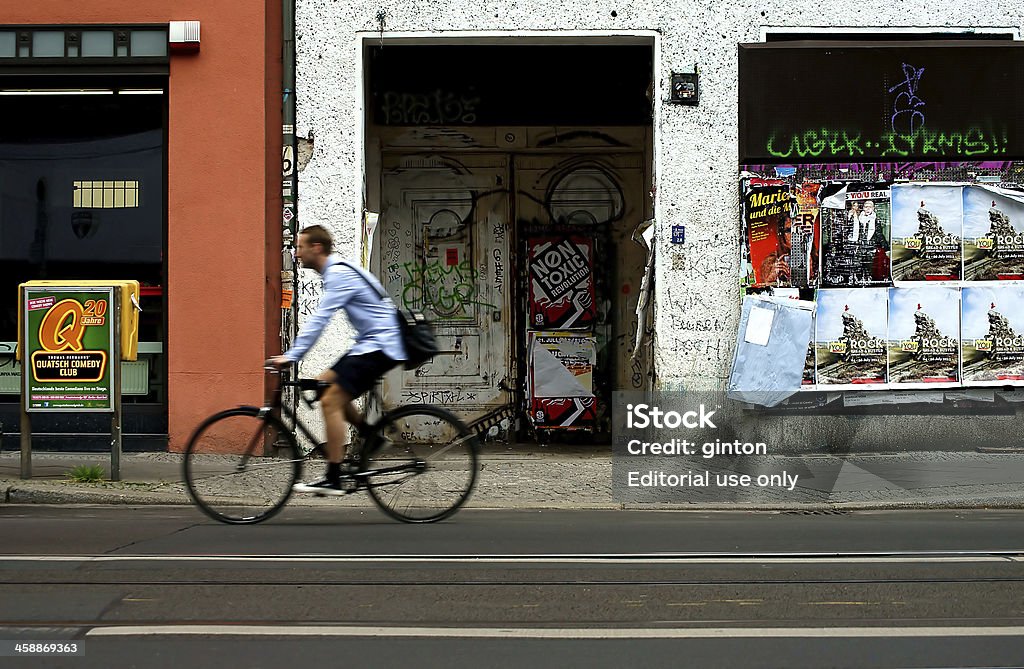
<point>240,466</point>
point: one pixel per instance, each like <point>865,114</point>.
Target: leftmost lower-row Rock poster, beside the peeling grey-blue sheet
<point>850,338</point>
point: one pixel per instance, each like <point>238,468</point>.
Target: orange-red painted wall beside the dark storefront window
<point>220,289</point>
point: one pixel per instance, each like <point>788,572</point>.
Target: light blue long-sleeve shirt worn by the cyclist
<point>375,320</point>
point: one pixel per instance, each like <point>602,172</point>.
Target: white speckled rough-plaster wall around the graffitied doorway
<point>698,291</point>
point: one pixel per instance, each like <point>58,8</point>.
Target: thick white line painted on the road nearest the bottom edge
<point>556,634</point>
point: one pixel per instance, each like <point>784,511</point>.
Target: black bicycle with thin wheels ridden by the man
<point>418,463</point>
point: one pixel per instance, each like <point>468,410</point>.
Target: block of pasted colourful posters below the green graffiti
<point>917,285</point>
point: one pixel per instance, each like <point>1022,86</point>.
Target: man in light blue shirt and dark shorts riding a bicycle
<point>378,346</point>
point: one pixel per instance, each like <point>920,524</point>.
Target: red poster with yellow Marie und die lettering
<point>767,230</point>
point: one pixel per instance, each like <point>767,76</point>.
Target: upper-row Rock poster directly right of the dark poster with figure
<point>928,227</point>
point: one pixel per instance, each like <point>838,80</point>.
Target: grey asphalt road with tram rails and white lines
<point>164,587</point>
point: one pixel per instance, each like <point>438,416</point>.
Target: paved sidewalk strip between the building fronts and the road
<point>582,478</point>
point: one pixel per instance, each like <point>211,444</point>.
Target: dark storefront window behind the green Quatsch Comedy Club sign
<point>82,198</point>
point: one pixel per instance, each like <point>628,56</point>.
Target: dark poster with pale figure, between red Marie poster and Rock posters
<point>856,234</point>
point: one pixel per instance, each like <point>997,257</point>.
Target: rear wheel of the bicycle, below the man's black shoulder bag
<point>423,466</point>
